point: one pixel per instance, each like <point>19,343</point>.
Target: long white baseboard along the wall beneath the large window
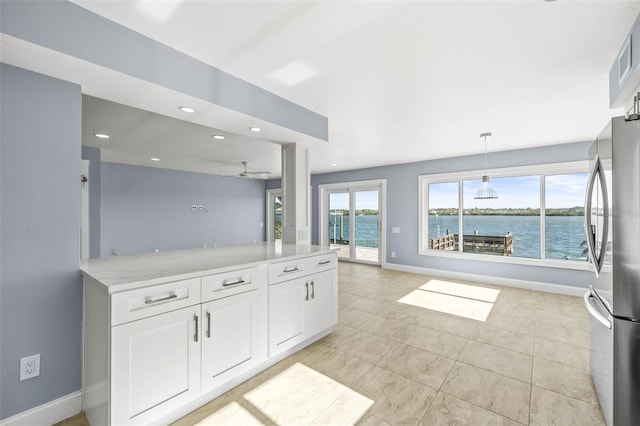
<point>485,279</point>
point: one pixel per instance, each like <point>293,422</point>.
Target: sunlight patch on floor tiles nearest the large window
<point>458,299</point>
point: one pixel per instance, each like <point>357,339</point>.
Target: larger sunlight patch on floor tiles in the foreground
<point>301,395</point>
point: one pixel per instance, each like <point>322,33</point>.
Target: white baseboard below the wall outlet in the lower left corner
<point>49,413</point>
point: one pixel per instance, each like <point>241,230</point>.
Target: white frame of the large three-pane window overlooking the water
<point>540,170</point>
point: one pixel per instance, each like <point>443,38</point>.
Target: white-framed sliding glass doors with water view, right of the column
<point>351,219</point>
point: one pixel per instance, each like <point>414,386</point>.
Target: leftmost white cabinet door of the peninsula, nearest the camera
<point>155,366</point>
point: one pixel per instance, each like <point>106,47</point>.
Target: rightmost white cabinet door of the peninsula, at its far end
<point>320,308</point>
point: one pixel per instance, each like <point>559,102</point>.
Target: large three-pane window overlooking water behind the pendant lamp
<point>538,213</point>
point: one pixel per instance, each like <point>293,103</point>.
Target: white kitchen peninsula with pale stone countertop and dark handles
<point>166,332</point>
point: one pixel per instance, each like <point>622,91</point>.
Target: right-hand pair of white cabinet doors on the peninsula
<point>301,308</point>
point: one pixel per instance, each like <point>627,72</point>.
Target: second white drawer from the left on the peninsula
<point>233,282</point>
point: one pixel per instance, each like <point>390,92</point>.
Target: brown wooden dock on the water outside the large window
<point>501,245</point>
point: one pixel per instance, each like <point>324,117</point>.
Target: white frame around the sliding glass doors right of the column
<point>323,212</point>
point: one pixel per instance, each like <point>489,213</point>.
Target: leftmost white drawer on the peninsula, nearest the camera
<point>148,301</point>
